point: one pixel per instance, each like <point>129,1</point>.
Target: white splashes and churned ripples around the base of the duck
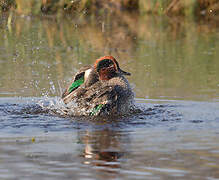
<point>137,111</point>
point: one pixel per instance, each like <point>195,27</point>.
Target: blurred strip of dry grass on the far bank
<point>201,8</point>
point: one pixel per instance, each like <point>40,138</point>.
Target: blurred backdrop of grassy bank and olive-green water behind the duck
<point>171,47</point>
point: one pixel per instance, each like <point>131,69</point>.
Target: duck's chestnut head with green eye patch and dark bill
<point>107,67</point>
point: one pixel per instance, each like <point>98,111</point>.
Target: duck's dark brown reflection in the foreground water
<point>103,149</point>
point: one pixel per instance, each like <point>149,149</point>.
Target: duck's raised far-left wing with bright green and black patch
<point>77,80</point>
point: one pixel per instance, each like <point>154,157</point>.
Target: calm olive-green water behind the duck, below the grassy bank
<point>177,59</point>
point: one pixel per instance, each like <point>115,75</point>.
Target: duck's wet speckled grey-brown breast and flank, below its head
<point>114,95</point>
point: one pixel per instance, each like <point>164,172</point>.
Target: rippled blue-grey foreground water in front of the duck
<point>175,139</point>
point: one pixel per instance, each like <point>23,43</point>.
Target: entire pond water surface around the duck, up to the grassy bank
<point>175,77</point>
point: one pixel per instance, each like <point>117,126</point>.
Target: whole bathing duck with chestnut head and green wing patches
<point>100,89</point>
